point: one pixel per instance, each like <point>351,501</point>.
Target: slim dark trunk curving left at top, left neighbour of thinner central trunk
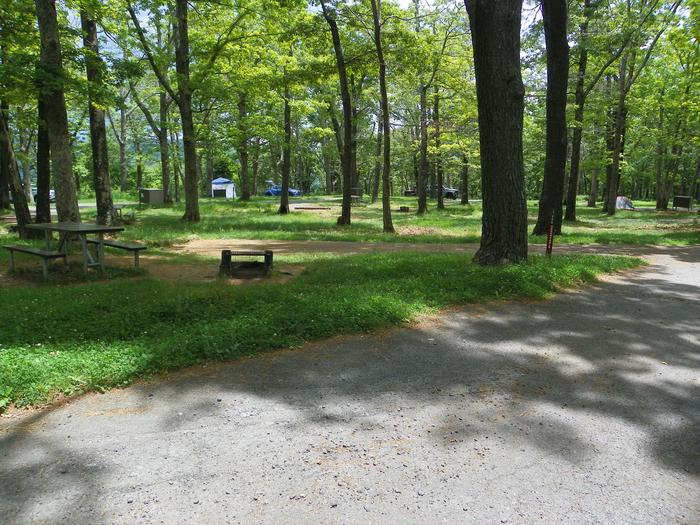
<point>346,157</point>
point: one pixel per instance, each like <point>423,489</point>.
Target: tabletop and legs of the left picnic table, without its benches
<point>81,230</point>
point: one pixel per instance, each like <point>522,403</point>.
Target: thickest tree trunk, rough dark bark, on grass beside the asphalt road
<point>495,28</point>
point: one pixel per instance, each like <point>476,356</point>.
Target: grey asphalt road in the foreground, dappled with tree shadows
<point>582,409</point>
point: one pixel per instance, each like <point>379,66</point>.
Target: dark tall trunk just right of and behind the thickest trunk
<point>555,16</point>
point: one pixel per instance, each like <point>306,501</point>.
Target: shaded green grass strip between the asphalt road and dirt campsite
<point>77,338</point>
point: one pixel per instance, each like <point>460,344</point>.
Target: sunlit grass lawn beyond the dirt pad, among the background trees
<point>456,224</point>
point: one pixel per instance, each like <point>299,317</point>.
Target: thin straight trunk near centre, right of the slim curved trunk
<point>388,225</point>
